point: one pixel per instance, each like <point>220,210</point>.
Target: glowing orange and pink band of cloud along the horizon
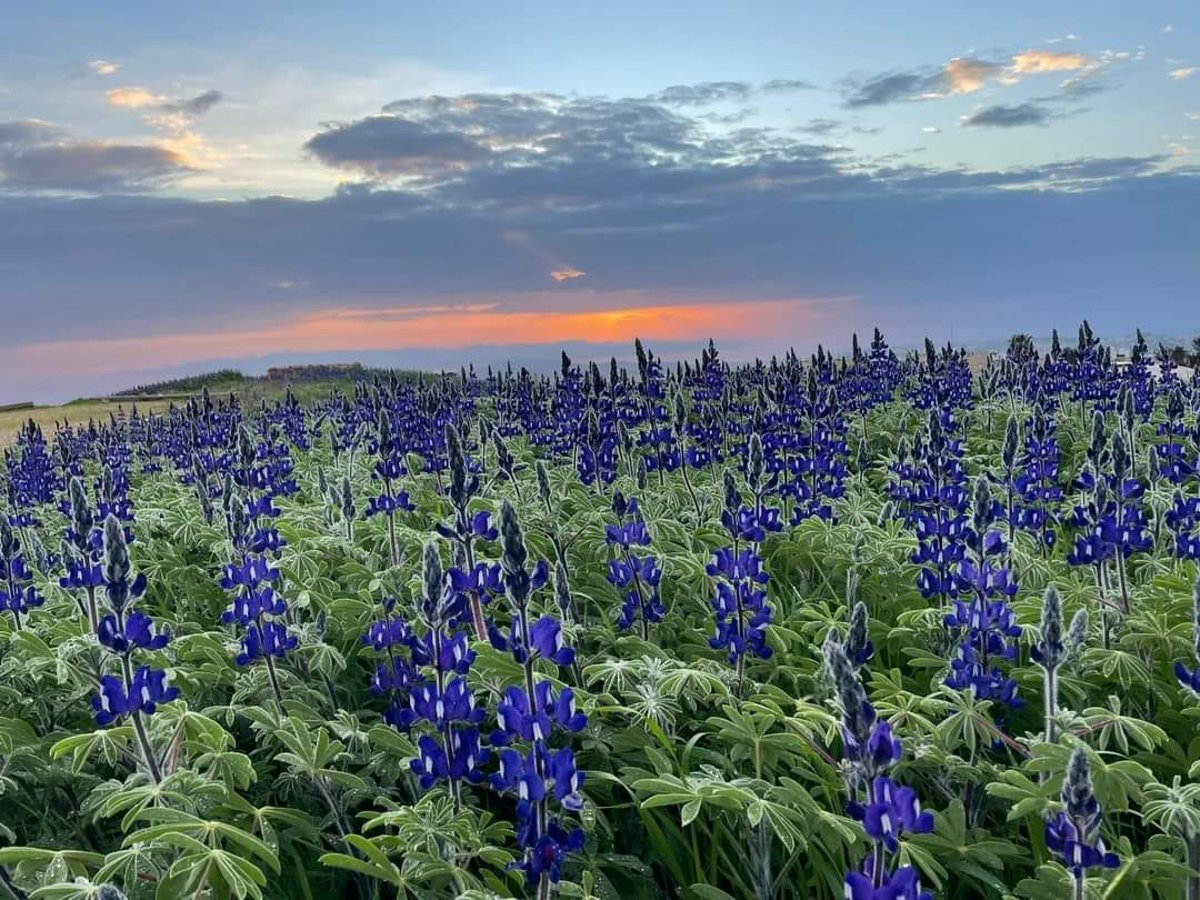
<point>440,327</point>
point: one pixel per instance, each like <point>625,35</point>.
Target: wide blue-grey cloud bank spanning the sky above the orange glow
<point>904,239</point>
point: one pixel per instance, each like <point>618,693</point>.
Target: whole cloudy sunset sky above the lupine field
<point>193,187</point>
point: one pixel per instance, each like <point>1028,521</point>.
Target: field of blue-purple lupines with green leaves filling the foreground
<point>877,627</point>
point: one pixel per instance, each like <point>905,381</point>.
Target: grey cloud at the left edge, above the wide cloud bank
<point>34,158</point>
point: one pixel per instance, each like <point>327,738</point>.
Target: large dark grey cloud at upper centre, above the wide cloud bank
<point>548,149</point>
